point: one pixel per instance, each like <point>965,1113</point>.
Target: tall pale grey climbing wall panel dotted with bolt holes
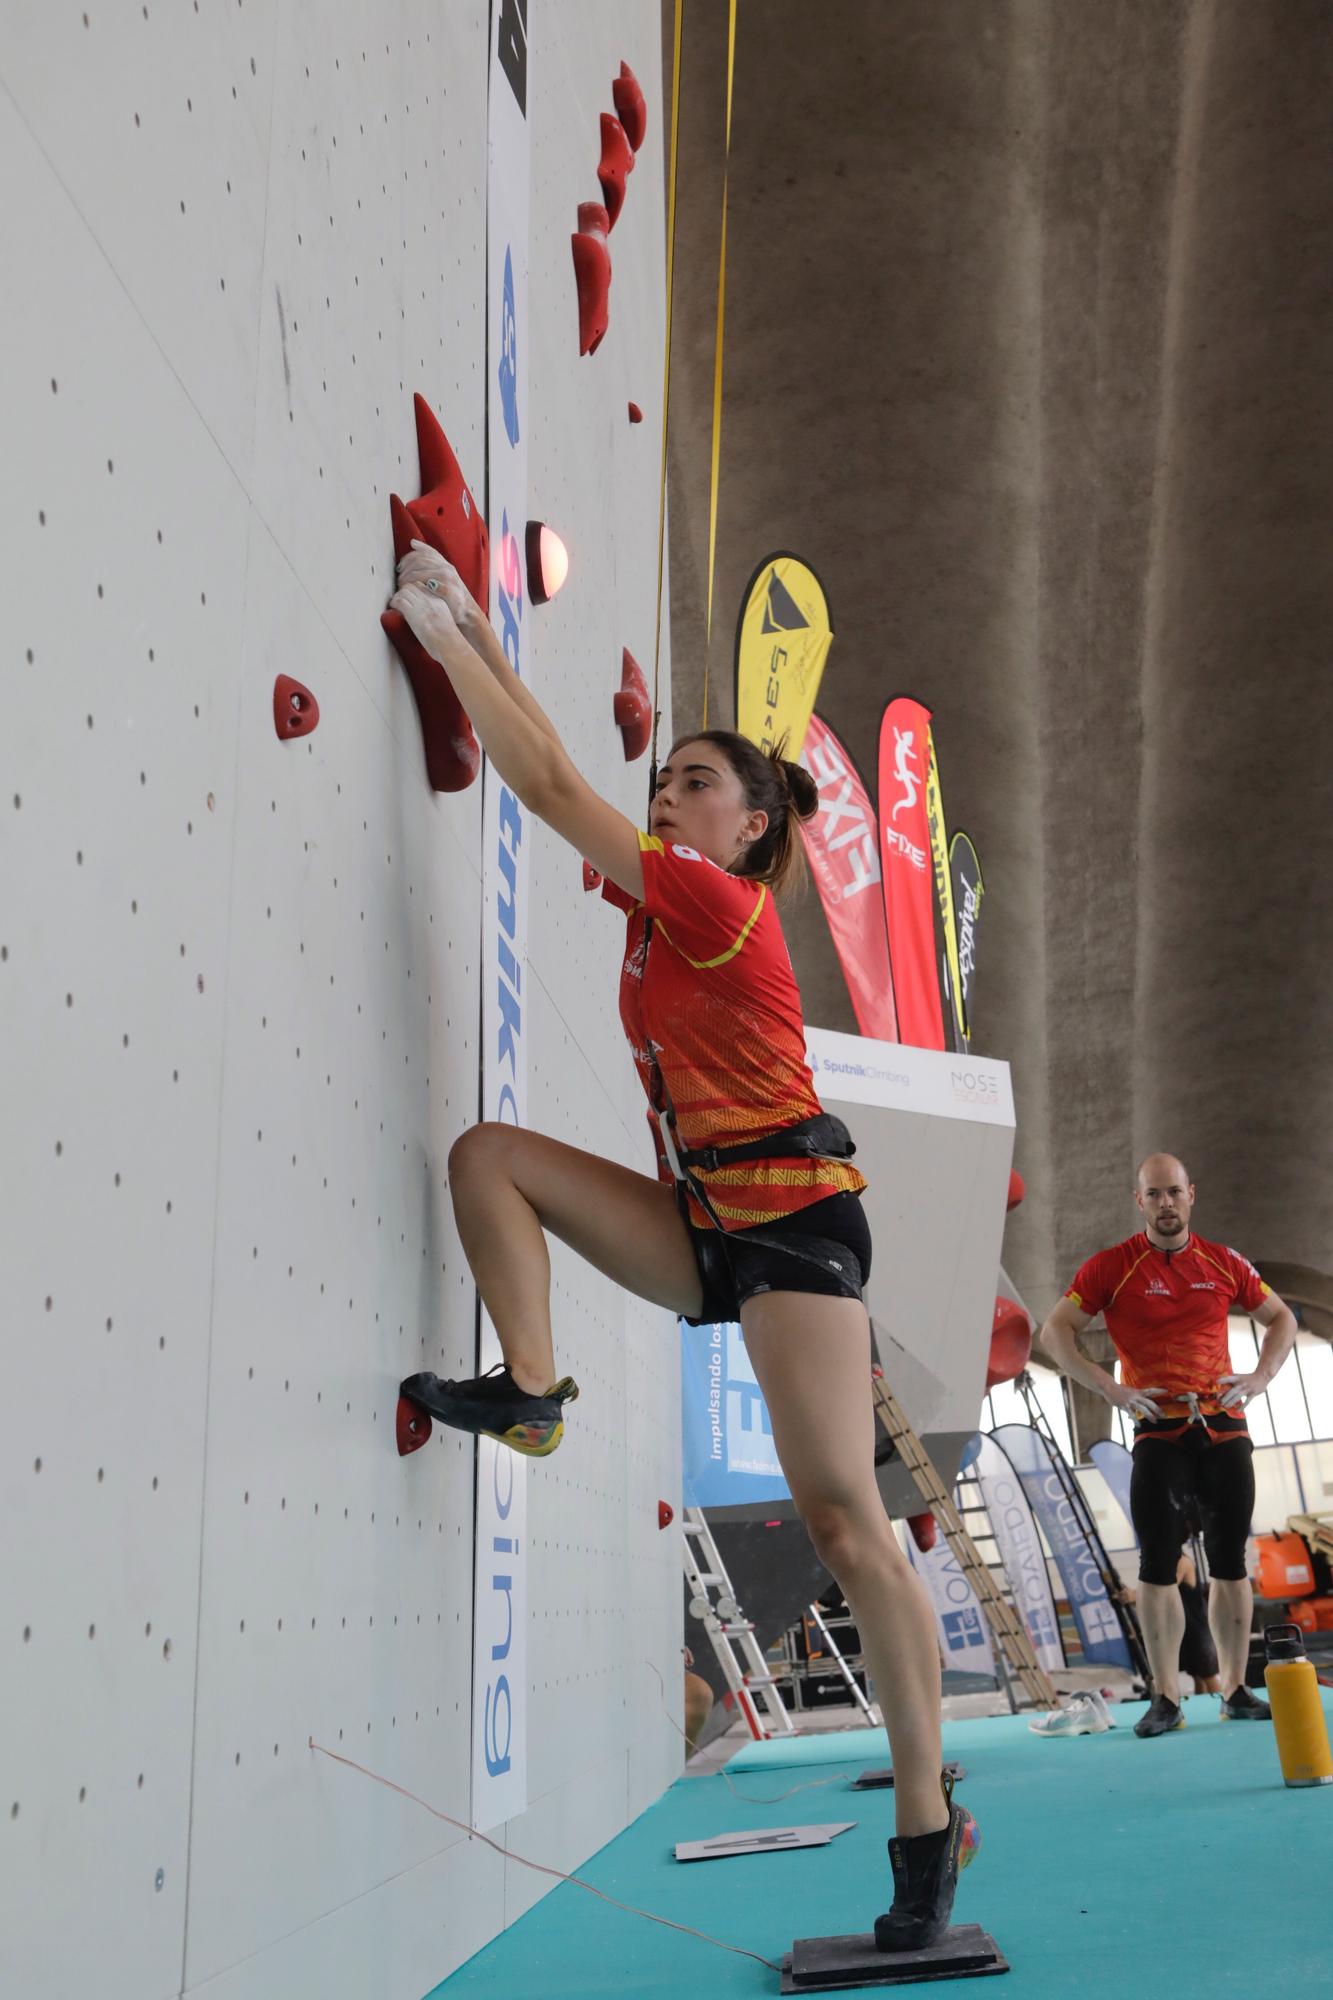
<point>241,1001</point>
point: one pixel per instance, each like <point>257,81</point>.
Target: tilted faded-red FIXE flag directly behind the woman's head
<point>844,851</point>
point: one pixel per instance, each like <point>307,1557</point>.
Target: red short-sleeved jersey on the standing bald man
<point>1168,1311</point>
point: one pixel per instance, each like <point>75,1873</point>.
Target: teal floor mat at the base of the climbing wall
<point>1168,1869</point>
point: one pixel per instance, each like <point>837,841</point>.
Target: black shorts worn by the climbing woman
<point>824,1249</point>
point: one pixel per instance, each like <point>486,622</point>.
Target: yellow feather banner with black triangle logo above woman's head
<point>784,641</point>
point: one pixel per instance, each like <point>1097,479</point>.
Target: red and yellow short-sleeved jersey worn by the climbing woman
<point>720,1013</point>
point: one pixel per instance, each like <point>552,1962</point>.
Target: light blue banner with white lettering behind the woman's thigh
<point>730,1453</point>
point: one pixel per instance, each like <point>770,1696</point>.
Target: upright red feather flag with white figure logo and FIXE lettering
<point>906,855</point>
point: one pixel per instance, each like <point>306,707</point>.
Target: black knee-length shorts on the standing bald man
<point>1176,1479</point>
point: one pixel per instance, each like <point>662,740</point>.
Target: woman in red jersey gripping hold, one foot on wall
<point>756,1213</point>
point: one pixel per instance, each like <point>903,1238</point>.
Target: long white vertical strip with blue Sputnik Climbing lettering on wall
<point>501,1579</point>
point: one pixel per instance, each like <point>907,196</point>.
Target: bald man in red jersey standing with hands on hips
<point>1166,1297</point>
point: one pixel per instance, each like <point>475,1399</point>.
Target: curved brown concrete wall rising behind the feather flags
<point>1030,351</point>
